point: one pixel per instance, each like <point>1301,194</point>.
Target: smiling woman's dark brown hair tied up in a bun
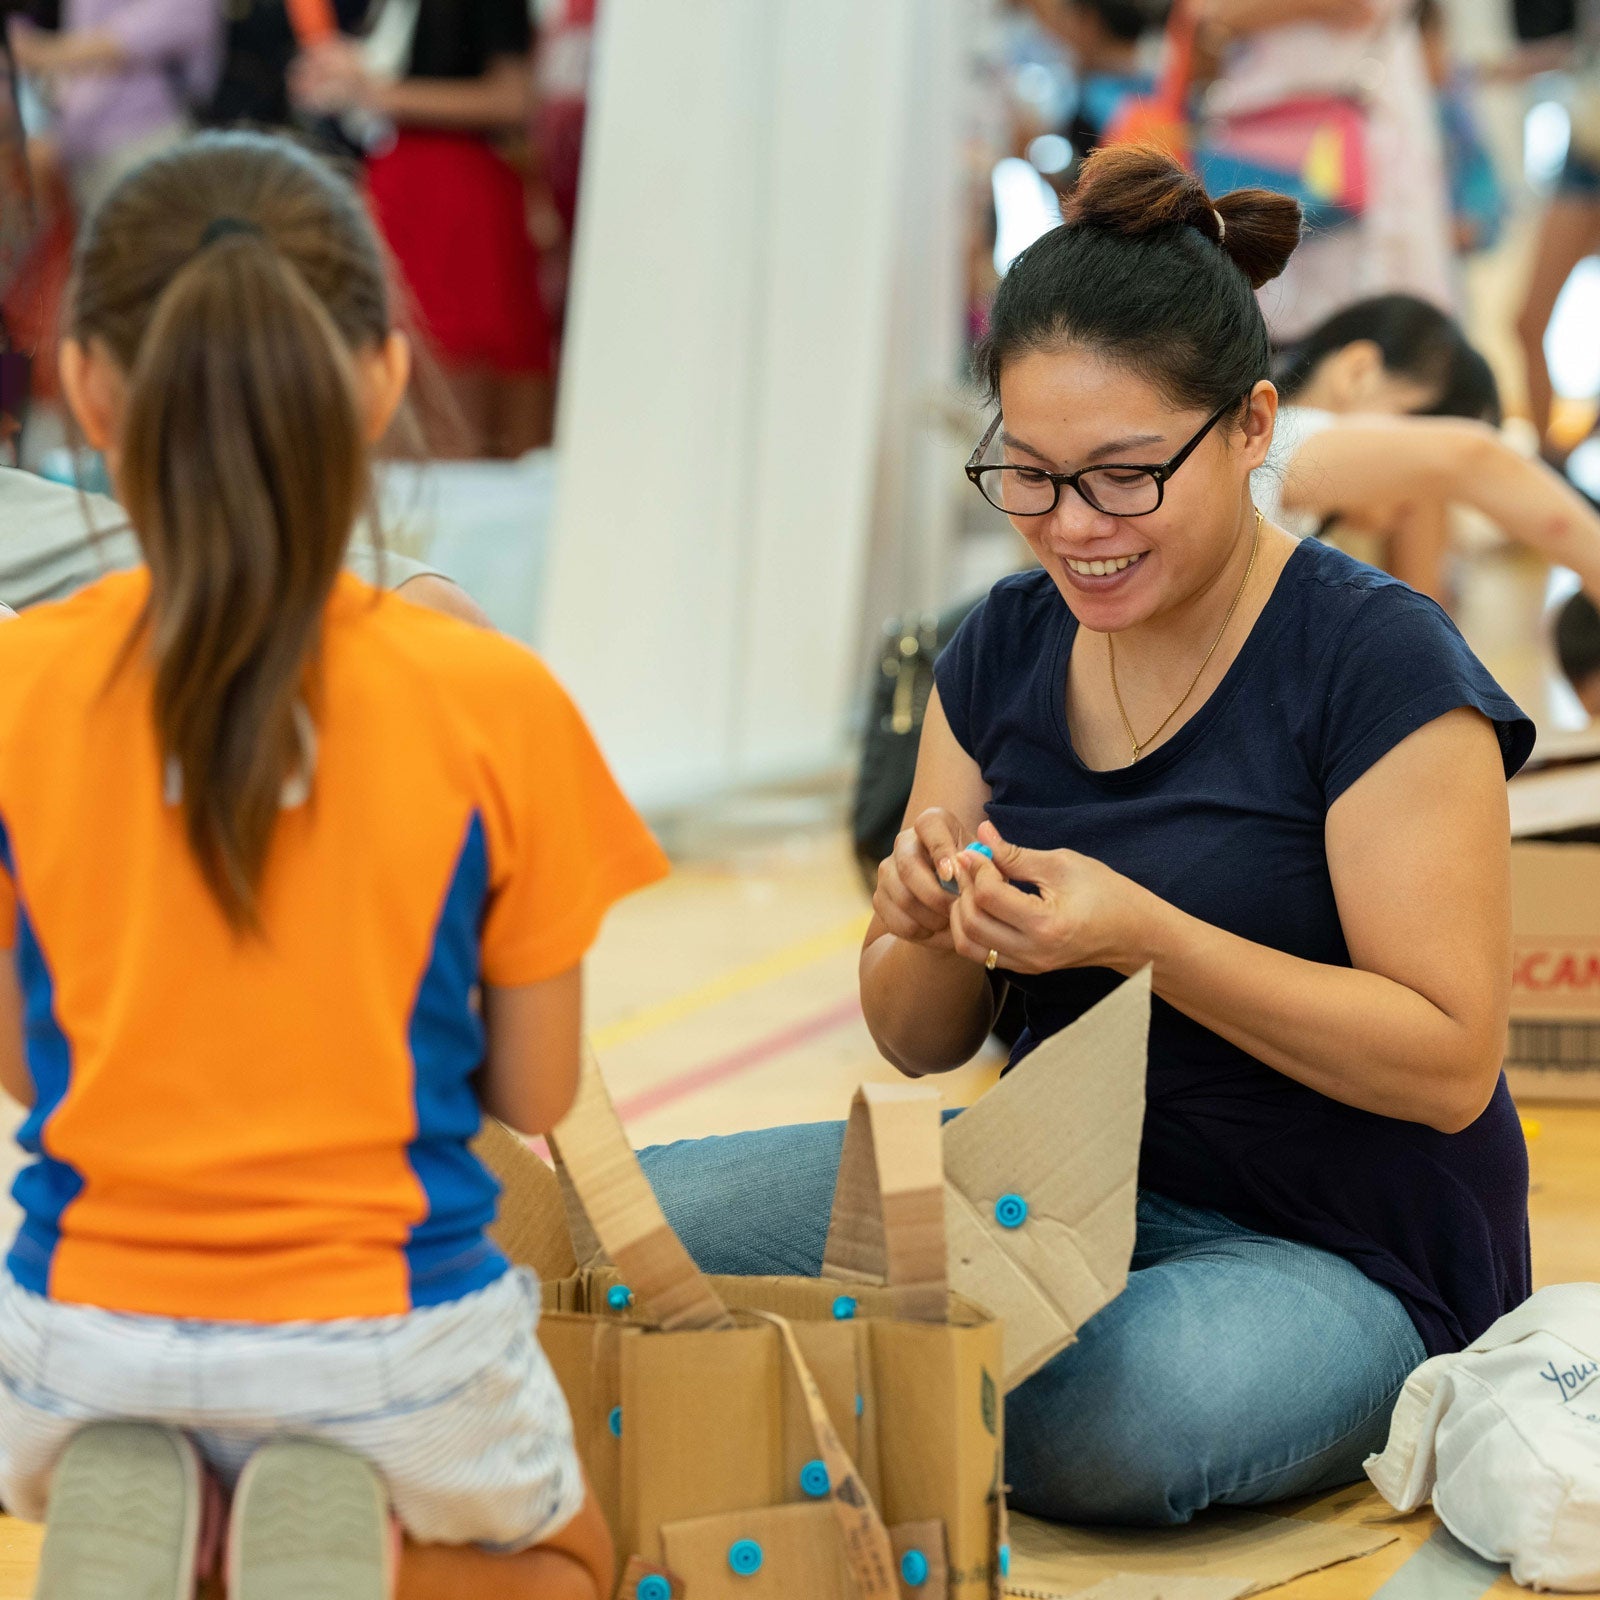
<point>1153,273</point>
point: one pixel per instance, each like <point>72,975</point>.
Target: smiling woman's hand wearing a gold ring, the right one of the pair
<point>1082,916</point>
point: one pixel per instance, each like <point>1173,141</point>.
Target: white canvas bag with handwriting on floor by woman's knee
<point>1505,1438</point>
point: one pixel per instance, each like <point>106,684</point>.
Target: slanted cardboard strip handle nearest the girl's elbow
<point>626,1217</point>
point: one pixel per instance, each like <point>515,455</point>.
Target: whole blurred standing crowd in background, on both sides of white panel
<point>468,119</point>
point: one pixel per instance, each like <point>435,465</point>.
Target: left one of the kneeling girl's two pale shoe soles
<point>124,1518</point>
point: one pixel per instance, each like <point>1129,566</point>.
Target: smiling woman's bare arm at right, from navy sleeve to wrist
<point>1418,850</point>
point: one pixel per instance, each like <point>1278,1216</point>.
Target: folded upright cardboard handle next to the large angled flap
<point>889,1202</point>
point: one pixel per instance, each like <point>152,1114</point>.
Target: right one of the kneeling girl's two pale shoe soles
<point>311,1522</point>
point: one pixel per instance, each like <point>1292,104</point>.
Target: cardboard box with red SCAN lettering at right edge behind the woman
<point>1553,1050</point>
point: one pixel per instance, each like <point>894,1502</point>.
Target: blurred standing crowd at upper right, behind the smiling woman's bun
<point>1367,111</point>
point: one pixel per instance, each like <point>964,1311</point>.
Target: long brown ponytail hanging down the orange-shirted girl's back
<point>244,470</point>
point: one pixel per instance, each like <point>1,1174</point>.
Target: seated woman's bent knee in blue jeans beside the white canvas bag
<point>1249,1374</point>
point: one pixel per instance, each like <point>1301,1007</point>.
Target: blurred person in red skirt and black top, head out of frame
<point>434,89</point>
